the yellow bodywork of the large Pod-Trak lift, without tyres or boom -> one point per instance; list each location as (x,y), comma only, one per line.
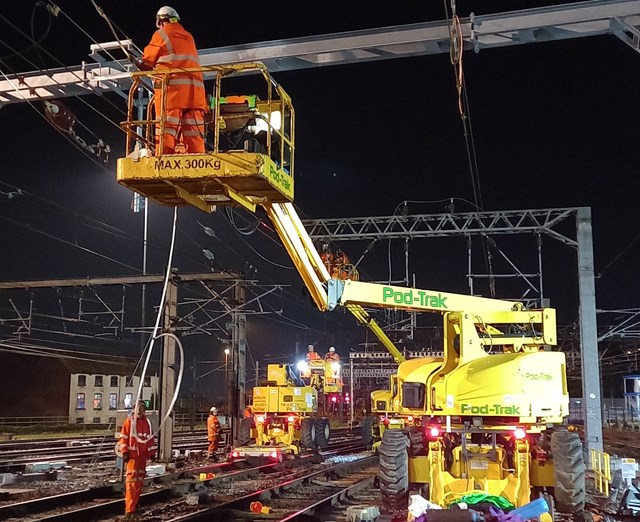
(497,374)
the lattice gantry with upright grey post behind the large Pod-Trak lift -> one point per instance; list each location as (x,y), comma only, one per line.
(546,221)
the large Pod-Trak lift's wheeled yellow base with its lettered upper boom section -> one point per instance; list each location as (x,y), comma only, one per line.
(478,418)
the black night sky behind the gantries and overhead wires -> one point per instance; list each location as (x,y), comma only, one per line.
(554,125)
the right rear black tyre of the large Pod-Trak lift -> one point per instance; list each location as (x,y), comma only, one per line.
(569,469)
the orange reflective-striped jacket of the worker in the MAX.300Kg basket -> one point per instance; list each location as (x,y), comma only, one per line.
(173,47)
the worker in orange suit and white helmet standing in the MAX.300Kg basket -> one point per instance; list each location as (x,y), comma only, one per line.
(173,47)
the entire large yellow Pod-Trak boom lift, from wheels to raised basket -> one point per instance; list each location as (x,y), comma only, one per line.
(479,418)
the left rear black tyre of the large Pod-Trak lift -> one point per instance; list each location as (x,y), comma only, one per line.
(394,470)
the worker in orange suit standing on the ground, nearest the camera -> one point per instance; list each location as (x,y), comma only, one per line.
(136,444)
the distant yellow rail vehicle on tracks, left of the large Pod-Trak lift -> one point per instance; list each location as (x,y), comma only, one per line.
(284,418)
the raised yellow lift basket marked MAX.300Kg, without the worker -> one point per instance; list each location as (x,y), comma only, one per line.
(249,143)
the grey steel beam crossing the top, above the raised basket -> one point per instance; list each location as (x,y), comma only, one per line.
(620,18)
